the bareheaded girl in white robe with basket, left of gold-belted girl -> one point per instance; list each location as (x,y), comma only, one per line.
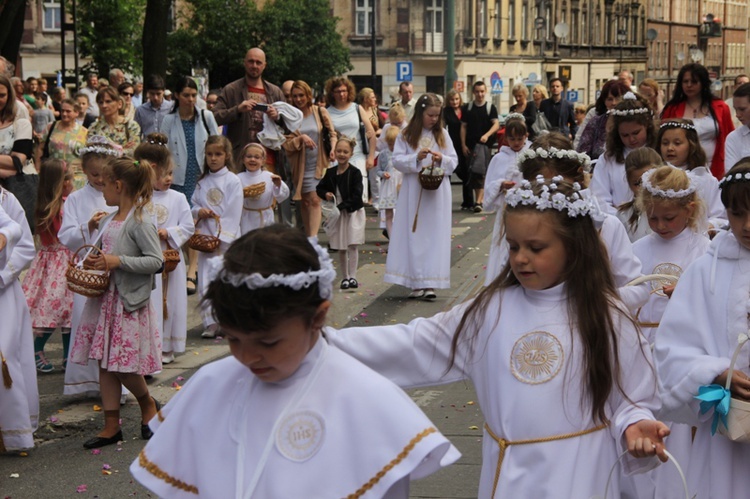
(217,199)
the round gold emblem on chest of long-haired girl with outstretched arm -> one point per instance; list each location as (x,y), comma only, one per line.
(536,358)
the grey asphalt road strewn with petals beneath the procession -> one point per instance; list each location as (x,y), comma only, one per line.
(59,467)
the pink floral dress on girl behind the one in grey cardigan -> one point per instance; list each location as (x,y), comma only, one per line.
(47,295)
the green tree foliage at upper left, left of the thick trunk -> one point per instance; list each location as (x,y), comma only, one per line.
(109,33)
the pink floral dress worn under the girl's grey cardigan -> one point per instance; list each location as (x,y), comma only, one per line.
(122,341)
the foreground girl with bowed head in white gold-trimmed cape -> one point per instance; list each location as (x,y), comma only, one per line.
(289,415)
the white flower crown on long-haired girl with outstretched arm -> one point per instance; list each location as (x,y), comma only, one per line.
(575,205)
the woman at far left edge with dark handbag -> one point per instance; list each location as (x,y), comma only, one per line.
(17,173)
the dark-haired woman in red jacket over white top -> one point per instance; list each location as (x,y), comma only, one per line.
(692,99)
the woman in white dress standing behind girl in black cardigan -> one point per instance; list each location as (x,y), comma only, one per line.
(350,120)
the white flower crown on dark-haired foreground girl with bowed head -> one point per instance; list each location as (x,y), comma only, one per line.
(324,276)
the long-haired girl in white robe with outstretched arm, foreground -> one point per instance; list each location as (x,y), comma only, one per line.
(553,427)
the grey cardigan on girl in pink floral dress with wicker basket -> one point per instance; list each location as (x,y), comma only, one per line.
(141,257)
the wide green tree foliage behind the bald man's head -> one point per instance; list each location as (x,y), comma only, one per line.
(298,36)
